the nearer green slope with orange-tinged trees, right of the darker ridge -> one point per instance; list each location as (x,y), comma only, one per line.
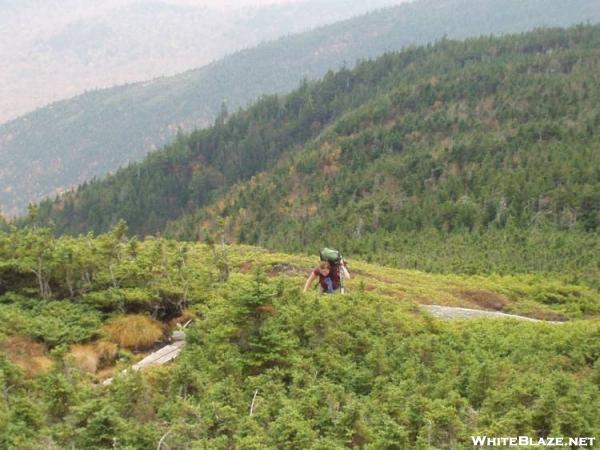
(493,150)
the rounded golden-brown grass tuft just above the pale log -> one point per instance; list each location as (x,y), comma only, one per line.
(134,331)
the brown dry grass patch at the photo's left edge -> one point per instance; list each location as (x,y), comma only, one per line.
(29,355)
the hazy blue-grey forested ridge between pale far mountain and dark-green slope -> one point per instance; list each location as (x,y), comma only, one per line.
(69,142)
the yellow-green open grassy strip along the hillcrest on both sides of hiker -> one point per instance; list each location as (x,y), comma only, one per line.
(532,295)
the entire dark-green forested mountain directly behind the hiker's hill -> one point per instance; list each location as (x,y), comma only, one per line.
(478,156)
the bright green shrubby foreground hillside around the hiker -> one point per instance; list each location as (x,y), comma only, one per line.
(266,367)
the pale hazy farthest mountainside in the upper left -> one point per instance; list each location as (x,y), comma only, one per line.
(51,50)
